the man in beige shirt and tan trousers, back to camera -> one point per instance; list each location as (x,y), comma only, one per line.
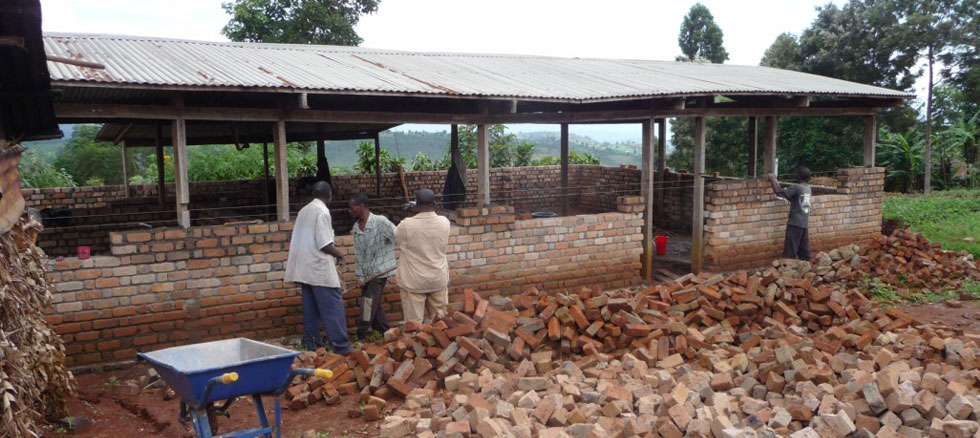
(423,271)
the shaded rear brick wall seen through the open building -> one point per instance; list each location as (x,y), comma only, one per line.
(97,211)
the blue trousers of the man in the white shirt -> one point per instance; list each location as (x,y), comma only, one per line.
(324,306)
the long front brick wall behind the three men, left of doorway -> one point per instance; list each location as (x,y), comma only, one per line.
(167,287)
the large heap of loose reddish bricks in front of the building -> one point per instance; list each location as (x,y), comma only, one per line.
(792,350)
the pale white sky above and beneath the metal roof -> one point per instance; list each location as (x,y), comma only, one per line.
(635,29)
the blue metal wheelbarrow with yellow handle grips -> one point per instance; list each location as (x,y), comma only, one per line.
(206,373)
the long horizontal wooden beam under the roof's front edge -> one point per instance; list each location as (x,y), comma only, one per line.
(80,112)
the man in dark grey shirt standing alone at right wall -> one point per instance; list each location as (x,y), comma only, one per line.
(797,244)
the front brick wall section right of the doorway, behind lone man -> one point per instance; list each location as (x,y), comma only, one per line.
(745,224)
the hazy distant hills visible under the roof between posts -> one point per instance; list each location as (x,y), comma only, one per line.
(435,144)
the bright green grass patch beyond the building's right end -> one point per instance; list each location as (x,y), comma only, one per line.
(945,217)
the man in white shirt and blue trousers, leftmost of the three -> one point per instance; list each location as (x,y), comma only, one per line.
(312,263)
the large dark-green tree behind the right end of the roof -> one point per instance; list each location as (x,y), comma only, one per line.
(861,41)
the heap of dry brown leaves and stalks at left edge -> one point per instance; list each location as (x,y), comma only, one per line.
(34,382)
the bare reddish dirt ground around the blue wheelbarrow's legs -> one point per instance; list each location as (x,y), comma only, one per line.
(116,415)
